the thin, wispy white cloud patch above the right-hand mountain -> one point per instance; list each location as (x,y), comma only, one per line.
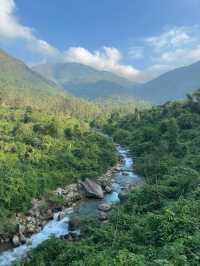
(174,48)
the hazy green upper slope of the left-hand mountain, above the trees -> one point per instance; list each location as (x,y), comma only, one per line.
(15,75)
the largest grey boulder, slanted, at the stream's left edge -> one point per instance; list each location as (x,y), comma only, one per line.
(92,189)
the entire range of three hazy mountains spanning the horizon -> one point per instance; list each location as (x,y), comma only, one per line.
(86,82)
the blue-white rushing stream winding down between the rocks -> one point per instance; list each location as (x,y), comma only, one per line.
(122,180)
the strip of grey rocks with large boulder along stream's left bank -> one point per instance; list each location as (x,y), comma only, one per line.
(59,202)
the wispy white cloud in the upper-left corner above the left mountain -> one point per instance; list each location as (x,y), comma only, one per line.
(12,29)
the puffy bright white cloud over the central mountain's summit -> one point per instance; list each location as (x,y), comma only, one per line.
(108,59)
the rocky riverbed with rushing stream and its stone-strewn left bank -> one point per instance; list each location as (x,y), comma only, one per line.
(83,200)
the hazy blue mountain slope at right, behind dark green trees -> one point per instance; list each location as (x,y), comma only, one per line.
(173,85)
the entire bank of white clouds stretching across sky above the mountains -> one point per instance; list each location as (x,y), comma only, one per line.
(172,48)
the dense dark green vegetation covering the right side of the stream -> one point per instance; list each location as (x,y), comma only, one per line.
(159,225)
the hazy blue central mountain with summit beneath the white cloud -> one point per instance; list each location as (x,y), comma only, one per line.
(84,81)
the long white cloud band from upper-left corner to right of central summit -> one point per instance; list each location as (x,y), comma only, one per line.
(108,58)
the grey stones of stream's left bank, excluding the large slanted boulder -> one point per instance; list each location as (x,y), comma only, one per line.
(42,211)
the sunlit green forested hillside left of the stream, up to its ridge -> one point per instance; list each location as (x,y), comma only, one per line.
(45,139)
